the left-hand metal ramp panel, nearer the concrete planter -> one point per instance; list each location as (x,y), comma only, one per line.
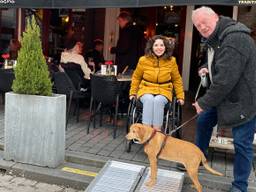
(117,177)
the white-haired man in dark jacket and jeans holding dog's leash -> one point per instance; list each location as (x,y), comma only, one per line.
(230,100)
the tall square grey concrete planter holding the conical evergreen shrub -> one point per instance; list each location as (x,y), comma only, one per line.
(35,129)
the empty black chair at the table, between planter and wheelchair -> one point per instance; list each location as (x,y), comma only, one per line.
(104,93)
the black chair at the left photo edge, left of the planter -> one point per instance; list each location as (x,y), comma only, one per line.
(6,79)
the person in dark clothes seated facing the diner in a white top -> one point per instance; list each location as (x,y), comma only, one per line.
(96,54)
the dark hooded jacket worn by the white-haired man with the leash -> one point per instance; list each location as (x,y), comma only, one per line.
(233,88)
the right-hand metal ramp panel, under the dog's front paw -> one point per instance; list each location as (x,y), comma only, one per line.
(170,181)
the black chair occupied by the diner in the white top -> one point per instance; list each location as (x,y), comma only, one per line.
(64,85)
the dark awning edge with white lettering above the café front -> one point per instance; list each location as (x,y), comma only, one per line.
(114,3)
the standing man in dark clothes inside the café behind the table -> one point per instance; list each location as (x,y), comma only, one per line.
(130,45)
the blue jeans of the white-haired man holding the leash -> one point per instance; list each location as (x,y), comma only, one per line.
(243,138)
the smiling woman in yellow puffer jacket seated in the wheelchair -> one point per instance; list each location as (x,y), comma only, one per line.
(154,78)
